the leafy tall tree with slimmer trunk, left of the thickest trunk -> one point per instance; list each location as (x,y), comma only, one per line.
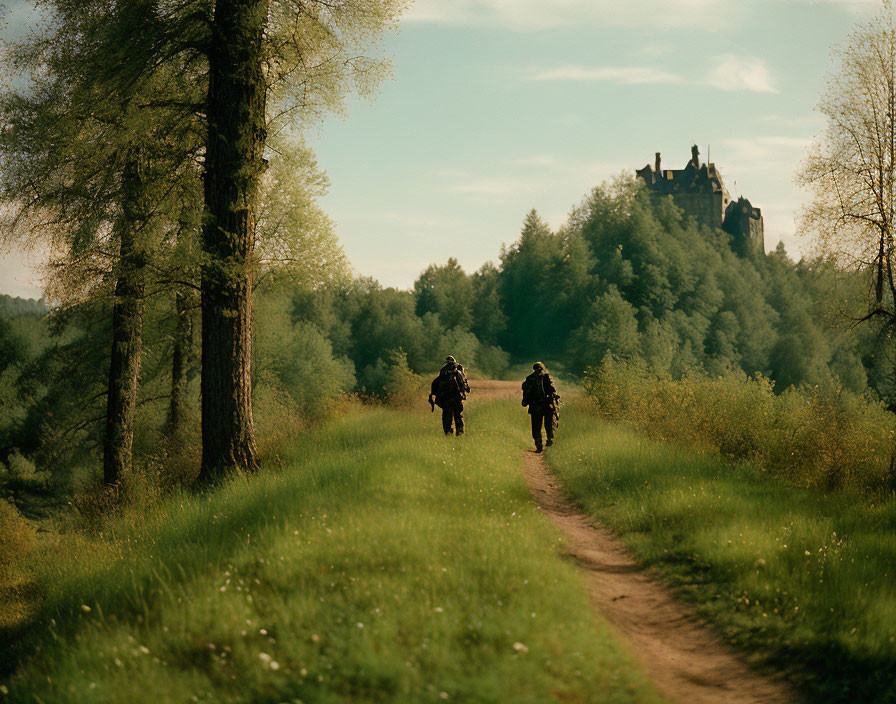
(98,138)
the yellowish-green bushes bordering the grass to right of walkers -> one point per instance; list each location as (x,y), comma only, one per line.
(821,436)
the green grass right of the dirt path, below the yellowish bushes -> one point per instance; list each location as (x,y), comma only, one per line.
(801,579)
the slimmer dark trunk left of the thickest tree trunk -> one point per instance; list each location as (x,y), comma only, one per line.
(127,335)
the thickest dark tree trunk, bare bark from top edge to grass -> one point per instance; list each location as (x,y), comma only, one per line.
(233,164)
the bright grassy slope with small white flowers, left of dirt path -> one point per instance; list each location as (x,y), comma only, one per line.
(383,562)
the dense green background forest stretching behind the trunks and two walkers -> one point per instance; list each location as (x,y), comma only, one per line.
(627,276)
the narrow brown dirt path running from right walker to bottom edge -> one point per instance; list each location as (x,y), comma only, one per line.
(687,660)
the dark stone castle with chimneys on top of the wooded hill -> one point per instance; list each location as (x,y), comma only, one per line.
(699,191)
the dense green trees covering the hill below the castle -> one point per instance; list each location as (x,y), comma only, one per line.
(629,274)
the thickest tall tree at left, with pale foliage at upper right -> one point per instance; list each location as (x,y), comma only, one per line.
(298,58)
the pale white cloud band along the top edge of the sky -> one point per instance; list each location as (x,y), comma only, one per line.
(529,15)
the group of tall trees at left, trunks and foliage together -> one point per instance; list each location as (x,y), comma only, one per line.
(153,149)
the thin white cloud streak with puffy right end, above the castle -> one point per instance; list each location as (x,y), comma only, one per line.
(729,72)
